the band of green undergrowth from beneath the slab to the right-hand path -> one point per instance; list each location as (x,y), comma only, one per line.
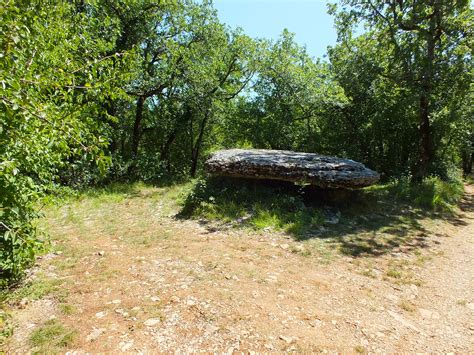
(297,210)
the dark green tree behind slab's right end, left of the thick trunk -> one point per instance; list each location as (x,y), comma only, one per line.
(376,126)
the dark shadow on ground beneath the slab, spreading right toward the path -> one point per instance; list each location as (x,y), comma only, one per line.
(371,221)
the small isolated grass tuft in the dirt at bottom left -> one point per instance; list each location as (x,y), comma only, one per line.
(52,337)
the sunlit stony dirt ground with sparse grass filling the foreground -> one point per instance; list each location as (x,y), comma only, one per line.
(125,274)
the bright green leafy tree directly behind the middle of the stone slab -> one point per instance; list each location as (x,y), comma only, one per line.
(291,101)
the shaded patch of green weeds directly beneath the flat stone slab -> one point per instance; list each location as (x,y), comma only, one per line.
(255,204)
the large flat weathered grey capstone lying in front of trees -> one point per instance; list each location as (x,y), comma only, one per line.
(314,169)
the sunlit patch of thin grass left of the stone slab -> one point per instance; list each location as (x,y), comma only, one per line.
(128,213)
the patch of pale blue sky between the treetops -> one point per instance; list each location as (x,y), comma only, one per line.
(308,19)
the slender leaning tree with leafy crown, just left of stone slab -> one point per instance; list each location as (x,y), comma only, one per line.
(221,70)
